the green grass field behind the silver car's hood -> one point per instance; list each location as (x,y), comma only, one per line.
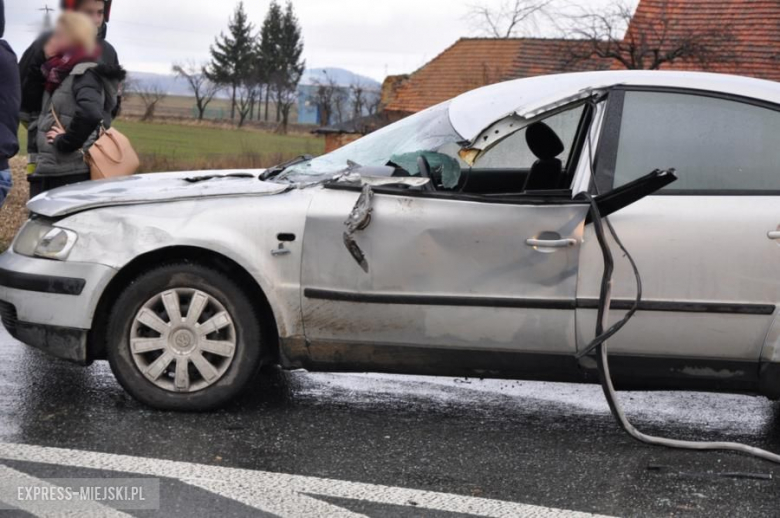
(172,147)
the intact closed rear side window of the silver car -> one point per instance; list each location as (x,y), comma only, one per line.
(714,144)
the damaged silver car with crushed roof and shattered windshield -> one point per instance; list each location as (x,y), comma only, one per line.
(455,242)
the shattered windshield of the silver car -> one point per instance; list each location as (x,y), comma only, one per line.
(399,144)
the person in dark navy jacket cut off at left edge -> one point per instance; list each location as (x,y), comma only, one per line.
(10,96)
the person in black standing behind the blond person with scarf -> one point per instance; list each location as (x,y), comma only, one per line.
(35,56)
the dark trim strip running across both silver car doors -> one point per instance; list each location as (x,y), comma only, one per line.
(504,302)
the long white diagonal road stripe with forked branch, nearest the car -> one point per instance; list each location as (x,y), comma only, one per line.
(278,493)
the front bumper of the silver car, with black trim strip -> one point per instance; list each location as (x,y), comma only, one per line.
(49,304)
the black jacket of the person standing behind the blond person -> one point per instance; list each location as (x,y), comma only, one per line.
(33,81)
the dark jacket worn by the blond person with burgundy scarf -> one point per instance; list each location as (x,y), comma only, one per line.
(94,104)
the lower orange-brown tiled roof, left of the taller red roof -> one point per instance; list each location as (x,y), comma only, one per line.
(474,62)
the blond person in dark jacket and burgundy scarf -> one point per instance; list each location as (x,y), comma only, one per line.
(79,97)
